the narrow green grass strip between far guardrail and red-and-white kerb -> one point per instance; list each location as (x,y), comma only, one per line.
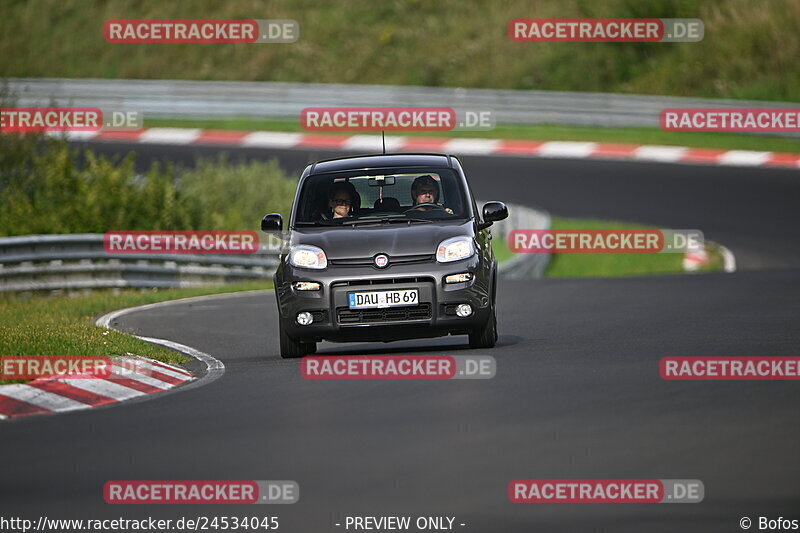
(543,132)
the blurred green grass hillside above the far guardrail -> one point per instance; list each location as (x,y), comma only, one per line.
(750,48)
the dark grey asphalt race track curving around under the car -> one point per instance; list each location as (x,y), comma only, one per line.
(577,392)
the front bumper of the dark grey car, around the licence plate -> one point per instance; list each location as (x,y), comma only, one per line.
(433,316)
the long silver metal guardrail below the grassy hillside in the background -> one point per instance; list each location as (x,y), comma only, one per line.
(222,99)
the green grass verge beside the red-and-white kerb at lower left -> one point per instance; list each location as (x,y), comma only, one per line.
(64,324)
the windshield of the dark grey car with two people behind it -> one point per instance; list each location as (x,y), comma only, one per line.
(381,196)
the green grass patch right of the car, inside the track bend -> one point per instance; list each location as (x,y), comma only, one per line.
(616,265)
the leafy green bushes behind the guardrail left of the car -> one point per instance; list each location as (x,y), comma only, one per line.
(47,187)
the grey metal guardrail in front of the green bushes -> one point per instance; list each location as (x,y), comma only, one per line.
(79,261)
